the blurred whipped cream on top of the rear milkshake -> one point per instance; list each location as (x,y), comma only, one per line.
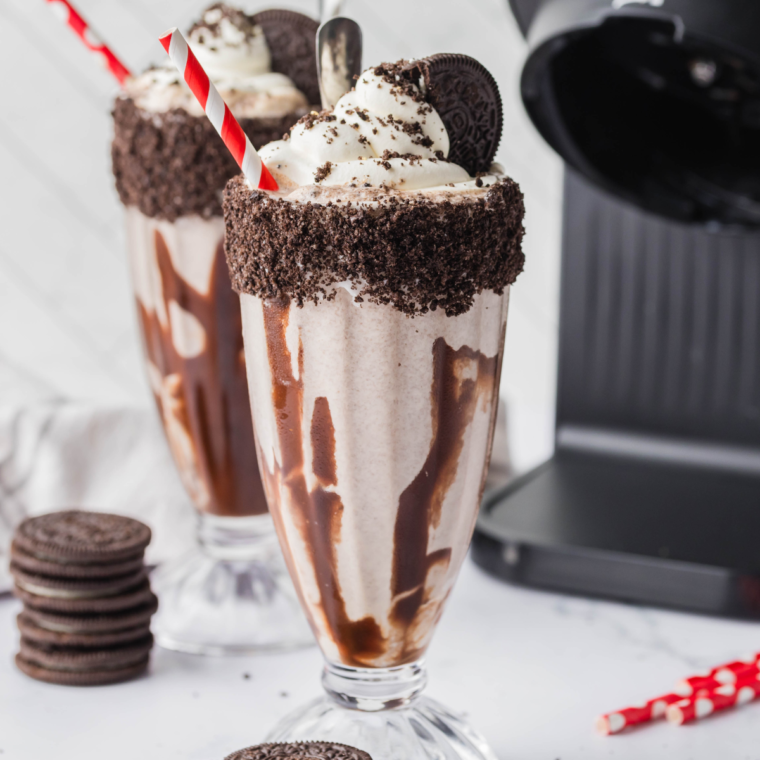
(234,53)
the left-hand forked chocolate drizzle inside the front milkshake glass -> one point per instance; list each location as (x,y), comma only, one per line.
(317,513)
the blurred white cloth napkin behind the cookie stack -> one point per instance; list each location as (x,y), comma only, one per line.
(76,455)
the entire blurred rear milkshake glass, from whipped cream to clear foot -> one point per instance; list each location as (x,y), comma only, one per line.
(232,593)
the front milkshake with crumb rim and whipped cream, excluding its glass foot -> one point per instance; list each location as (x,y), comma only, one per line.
(374,289)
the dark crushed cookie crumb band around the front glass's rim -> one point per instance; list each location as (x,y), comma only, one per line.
(413,253)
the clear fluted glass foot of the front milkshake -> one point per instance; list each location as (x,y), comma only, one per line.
(414,728)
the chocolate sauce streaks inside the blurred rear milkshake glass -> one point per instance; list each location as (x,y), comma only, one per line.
(208,393)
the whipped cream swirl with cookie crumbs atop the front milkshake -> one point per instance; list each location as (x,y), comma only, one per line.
(377,136)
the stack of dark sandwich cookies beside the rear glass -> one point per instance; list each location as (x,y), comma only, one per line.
(87,598)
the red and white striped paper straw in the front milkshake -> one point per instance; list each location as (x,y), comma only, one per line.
(217,111)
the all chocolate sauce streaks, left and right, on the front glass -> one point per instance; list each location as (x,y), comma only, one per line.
(455,393)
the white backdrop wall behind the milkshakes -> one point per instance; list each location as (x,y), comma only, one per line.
(67,328)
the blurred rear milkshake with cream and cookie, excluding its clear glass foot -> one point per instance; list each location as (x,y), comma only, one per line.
(170,170)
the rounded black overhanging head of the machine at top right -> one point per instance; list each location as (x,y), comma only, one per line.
(658,103)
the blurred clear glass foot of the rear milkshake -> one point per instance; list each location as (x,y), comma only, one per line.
(231,595)
